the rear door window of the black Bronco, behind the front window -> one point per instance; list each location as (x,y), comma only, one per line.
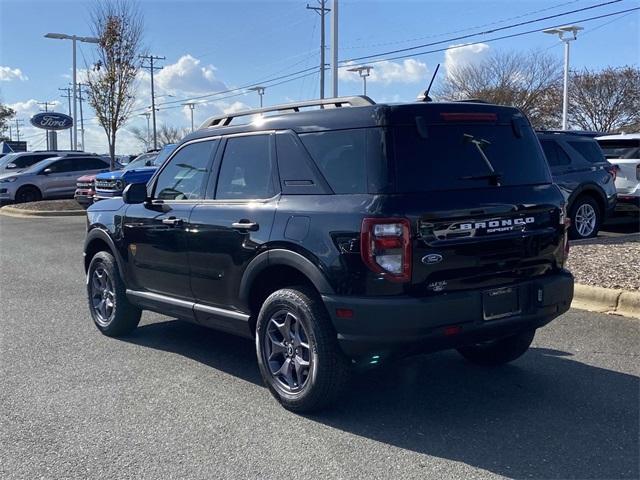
(247,168)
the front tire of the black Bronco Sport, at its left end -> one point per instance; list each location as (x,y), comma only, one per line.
(123,317)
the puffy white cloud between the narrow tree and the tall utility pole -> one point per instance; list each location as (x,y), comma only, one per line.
(187,76)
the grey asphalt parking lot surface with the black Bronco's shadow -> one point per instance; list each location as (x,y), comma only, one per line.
(177,401)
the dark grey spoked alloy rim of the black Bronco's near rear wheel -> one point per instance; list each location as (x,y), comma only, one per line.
(286,351)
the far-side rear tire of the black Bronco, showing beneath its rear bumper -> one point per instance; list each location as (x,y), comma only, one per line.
(498,352)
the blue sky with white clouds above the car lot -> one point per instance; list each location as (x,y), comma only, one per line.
(218,45)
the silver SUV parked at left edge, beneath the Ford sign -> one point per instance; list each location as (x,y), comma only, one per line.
(51,178)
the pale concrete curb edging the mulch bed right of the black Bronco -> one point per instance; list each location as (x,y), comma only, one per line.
(606,300)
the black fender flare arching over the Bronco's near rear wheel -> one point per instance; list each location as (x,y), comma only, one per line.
(287,258)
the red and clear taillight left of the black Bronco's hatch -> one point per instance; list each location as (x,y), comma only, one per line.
(385,246)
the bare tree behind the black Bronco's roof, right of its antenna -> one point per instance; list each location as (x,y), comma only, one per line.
(530,81)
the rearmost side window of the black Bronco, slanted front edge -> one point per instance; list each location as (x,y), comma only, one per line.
(341,156)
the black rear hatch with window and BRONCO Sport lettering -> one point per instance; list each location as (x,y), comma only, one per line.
(477,191)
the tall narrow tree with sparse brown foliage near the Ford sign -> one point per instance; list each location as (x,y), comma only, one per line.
(112,79)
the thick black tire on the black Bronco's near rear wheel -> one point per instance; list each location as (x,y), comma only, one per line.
(328,370)
